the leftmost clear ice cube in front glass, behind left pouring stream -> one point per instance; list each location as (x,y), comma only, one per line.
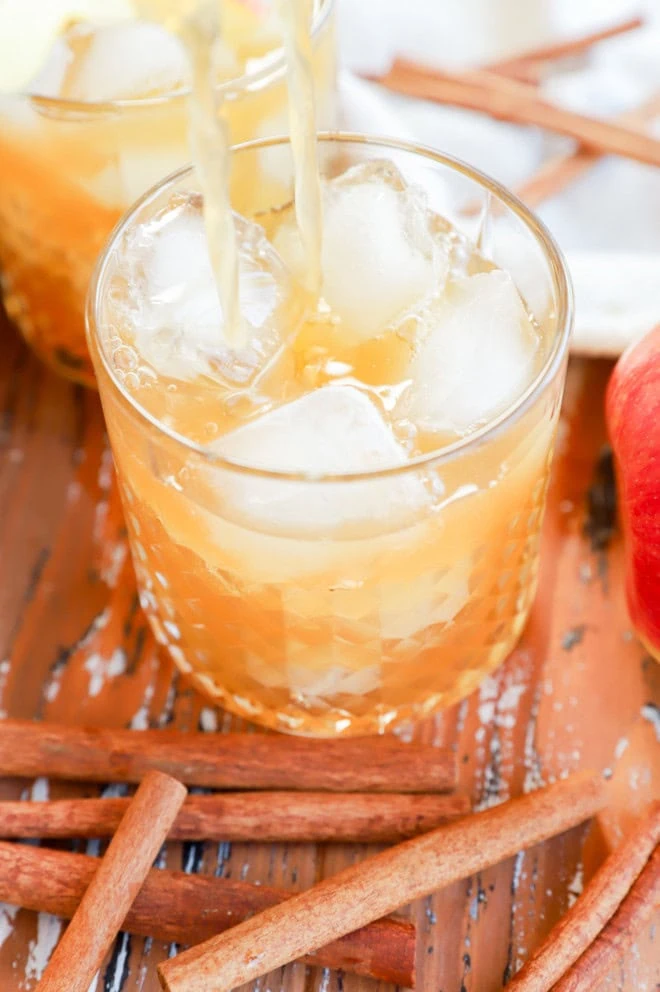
(176,317)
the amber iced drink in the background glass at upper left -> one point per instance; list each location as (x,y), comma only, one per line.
(85,141)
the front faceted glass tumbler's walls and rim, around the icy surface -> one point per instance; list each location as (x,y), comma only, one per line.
(351,605)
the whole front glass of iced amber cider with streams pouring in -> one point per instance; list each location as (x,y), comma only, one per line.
(335,523)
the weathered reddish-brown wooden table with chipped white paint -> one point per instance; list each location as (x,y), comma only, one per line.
(578,692)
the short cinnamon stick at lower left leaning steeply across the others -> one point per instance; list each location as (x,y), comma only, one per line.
(111,892)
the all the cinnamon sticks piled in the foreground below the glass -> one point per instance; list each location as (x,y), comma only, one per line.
(241,931)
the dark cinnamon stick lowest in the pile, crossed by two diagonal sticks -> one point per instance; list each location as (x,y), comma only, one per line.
(186,909)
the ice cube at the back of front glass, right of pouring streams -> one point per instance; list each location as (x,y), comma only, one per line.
(380,258)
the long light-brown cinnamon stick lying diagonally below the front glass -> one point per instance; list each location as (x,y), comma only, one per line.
(379,885)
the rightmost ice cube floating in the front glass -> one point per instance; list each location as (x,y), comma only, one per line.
(477,358)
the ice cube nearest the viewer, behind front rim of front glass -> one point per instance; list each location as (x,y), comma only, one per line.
(334,430)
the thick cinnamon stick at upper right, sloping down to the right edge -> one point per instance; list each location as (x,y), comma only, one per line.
(507,99)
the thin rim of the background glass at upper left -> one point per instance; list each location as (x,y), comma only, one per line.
(264,76)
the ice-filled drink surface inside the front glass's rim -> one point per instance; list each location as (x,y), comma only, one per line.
(413,324)
